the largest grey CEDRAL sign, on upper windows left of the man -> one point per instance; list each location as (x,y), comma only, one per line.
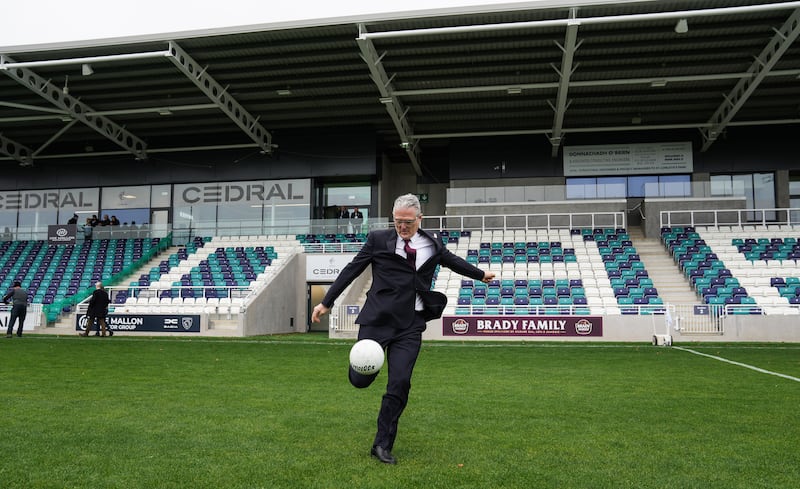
(263,192)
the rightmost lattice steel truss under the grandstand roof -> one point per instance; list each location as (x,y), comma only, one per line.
(759,69)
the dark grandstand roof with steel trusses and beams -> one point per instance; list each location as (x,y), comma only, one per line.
(549,69)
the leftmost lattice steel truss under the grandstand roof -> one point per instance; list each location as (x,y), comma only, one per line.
(74,108)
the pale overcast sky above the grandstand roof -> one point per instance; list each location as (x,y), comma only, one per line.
(30,22)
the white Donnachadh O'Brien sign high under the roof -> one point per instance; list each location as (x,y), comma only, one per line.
(628,159)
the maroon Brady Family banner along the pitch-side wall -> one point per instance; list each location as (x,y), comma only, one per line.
(488,326)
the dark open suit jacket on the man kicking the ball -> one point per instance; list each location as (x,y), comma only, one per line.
(391,298)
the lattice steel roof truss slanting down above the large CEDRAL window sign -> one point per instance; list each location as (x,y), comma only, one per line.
(218,94)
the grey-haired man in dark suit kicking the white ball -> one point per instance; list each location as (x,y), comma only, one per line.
(399,303)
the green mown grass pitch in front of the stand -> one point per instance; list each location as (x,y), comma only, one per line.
(270,412)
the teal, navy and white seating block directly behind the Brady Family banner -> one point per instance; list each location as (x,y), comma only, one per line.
(578,271)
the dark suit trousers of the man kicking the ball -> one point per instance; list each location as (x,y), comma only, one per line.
(402,348)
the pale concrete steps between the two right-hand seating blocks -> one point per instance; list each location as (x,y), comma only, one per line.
(672,287)
